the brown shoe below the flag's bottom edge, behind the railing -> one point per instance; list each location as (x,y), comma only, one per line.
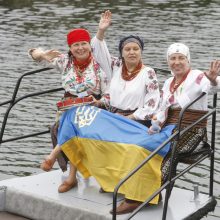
(126,206)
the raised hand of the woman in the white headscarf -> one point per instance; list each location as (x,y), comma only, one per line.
(213,72)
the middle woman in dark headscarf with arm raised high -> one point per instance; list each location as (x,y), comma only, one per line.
(134,89)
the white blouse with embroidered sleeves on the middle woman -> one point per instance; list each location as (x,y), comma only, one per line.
(141,93)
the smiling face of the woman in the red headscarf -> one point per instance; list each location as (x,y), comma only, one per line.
(80,50)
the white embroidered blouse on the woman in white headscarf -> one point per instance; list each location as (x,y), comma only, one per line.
(193,86)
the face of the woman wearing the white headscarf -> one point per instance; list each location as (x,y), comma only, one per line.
(178,64)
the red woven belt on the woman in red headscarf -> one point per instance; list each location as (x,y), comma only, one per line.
(68,102)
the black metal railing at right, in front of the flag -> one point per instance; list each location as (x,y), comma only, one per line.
(175,138)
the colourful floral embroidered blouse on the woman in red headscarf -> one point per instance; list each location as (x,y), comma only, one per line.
(92,81)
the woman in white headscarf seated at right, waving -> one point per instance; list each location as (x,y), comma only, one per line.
(184,86)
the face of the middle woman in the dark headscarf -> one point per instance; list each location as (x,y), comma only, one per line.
(131,53)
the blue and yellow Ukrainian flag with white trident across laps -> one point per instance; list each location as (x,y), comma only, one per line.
(108,146)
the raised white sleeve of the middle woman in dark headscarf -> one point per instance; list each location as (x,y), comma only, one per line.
(102,56)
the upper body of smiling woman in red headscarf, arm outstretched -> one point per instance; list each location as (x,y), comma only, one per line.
(81,75)
